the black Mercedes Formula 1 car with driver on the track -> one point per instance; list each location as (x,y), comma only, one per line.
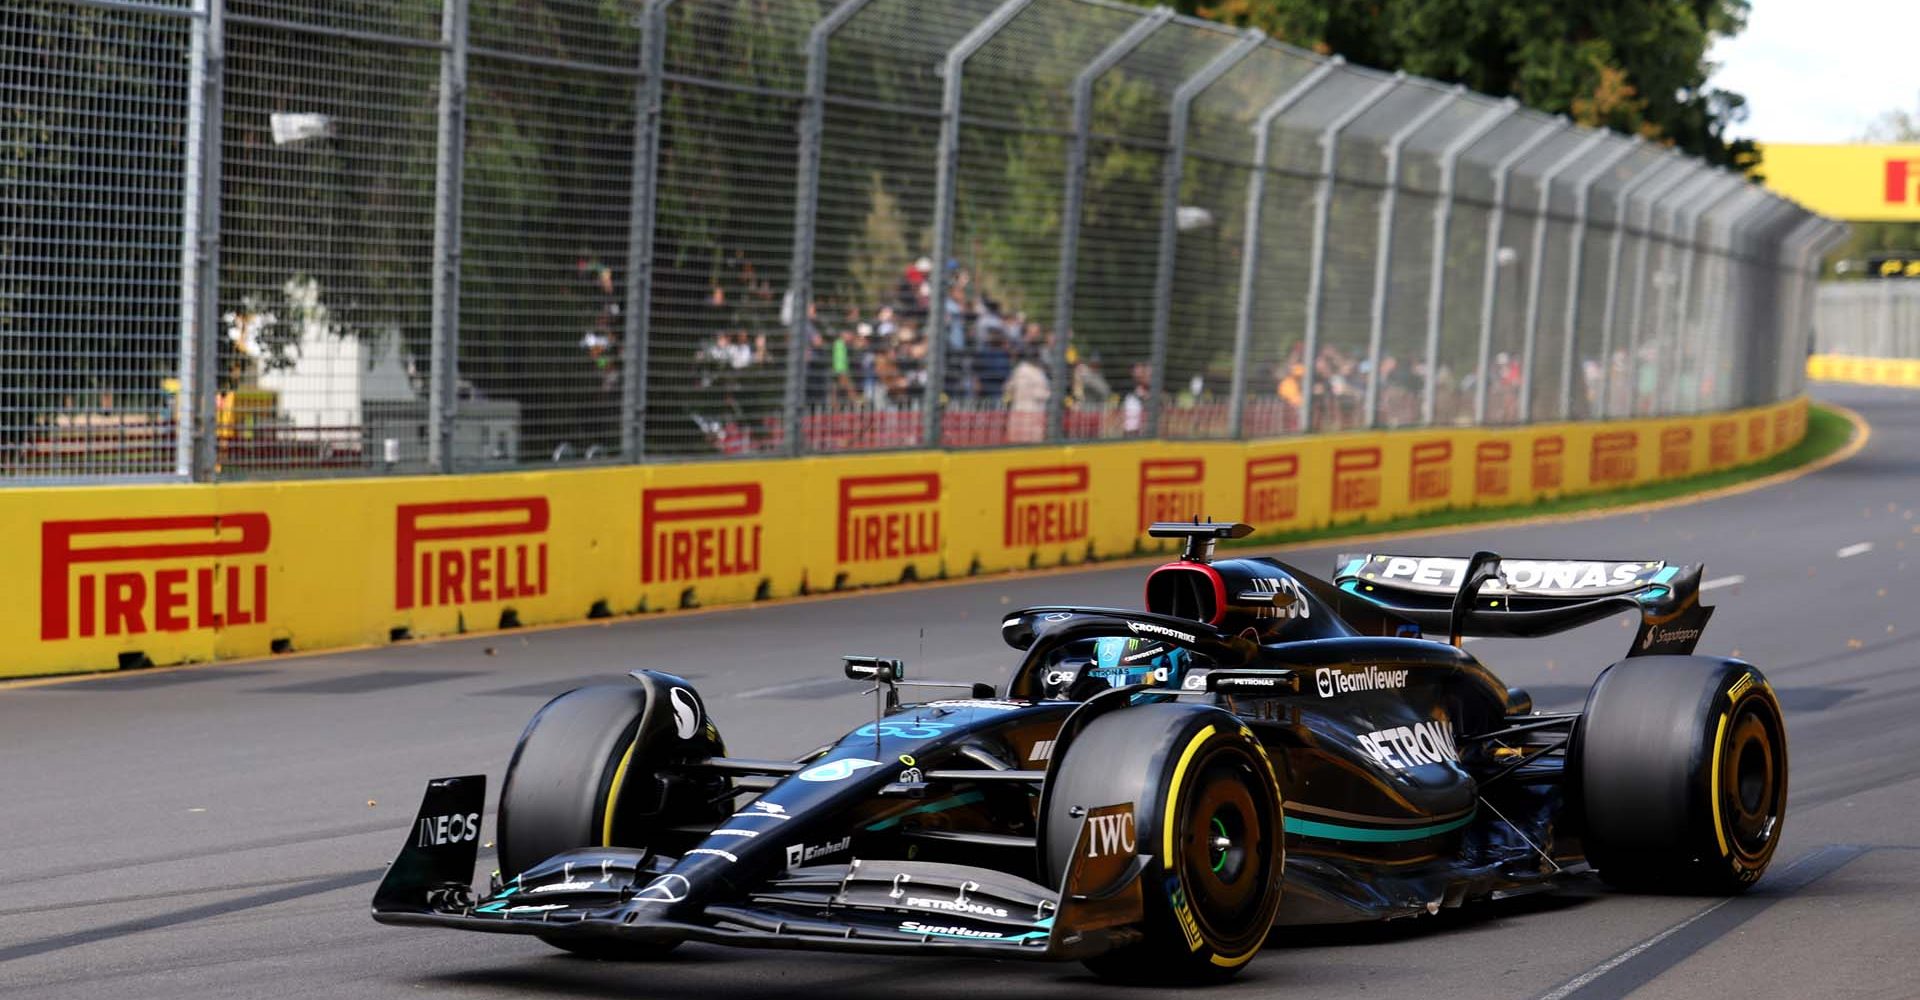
(1153,792)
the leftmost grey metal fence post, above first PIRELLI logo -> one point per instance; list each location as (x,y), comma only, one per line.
(195,408)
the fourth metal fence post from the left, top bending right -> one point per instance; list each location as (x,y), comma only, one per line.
(805,218)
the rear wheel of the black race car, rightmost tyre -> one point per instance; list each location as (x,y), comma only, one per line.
(1683,771)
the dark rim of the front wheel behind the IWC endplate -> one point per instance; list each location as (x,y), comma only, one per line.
(1226,853)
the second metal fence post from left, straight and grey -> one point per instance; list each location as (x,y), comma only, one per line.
(450,168)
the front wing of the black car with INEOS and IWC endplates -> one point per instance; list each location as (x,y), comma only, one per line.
(873,907)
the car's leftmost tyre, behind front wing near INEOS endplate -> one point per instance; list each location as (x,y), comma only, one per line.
(585,776)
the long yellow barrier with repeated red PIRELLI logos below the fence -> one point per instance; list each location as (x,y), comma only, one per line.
(132,575)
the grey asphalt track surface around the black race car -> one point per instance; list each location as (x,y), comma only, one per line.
(218,832)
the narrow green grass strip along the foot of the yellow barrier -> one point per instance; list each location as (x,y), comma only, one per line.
(1827,433)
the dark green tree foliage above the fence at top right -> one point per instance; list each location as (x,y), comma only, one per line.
(1635,66)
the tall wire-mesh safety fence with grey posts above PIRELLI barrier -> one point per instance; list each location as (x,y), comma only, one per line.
(366,237)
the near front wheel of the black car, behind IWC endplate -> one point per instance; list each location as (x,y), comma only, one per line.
(1207,809)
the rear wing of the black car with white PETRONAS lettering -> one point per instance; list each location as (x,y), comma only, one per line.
(1525,598)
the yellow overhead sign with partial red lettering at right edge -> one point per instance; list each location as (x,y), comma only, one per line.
(1858,183)
